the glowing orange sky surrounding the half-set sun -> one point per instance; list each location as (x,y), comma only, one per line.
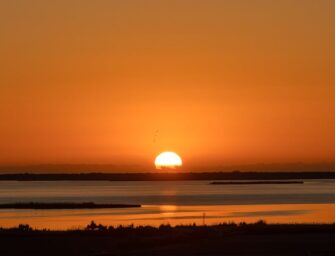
(223,82)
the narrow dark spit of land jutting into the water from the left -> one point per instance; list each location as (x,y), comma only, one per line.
(51,206)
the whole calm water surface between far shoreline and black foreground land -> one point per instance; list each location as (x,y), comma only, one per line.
(173,202)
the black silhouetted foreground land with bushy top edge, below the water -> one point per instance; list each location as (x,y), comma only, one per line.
(226,239)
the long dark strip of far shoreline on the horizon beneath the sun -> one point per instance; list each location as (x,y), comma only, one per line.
(154,176)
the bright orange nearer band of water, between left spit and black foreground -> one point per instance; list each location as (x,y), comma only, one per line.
(156,215)
